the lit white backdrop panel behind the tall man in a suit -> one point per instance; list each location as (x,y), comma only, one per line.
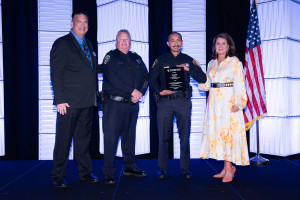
(54,21)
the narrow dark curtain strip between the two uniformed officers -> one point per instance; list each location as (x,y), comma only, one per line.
(160,25)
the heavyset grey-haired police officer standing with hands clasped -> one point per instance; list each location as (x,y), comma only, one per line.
(125,81)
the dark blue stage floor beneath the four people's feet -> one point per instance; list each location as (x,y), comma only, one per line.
(31,180)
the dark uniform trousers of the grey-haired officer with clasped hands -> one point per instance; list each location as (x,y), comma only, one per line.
(119,120)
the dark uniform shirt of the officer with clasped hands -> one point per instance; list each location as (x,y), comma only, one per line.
(122,73)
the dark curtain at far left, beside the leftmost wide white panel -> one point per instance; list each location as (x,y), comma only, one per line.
(20,63)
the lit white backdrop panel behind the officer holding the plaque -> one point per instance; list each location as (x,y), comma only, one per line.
(189,19)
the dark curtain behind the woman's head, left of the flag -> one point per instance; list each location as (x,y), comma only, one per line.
(232,17)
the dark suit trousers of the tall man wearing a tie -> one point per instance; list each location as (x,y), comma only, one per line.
(76,125)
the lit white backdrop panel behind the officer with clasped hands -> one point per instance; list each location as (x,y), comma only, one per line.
(132,15)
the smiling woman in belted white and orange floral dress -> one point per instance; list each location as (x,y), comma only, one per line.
(224,136)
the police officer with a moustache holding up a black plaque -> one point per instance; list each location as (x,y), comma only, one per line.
(171,103)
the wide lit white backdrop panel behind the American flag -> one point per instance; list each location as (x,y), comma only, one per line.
(280,32)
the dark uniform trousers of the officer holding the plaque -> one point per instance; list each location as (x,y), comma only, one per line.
(167,109)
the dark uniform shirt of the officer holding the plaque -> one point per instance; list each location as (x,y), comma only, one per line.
(157,78)
